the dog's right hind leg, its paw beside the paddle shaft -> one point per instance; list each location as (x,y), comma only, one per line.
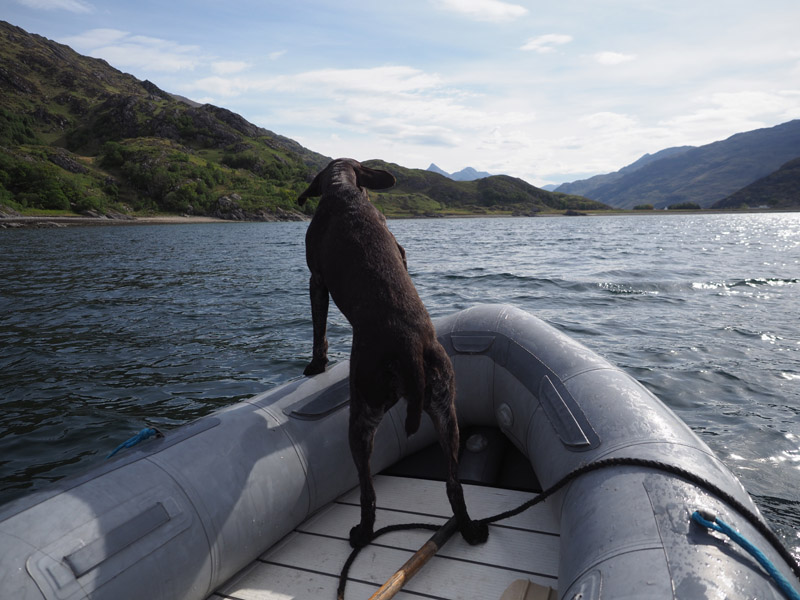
(440,407)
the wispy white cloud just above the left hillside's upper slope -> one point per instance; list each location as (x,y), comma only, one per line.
(124,50)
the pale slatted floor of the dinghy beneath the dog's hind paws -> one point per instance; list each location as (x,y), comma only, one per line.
(306,563)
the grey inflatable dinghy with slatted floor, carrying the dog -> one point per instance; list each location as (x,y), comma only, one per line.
(255,500)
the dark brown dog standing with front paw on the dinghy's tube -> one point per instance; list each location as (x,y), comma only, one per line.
(354,257)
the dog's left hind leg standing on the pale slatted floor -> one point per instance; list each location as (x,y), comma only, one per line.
(363,424)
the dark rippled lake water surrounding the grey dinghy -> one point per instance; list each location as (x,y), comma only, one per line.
(104,330)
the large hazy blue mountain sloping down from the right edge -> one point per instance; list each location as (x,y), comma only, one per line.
(704,175)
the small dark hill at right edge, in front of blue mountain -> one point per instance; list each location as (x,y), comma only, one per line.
(780,189)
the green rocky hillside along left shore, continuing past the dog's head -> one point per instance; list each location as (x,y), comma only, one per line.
(78,135)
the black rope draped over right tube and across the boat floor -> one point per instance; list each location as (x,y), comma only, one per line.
(704,484)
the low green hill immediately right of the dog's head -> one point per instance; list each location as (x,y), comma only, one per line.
(424,193)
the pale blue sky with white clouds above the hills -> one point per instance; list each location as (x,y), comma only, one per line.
(545,91)
